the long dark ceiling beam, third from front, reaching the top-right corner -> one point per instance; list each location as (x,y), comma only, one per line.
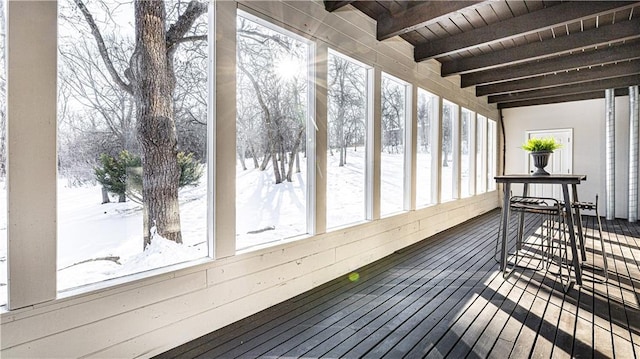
(547,18)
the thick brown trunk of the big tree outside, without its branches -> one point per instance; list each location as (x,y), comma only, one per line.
(153,88)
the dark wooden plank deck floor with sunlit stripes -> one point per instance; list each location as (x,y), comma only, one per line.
(444,297)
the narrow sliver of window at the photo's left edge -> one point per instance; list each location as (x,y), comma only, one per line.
(3,156)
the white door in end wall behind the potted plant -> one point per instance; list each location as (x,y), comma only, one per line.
(560,162)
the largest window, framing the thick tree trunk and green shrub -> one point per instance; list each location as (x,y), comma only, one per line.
(132,141)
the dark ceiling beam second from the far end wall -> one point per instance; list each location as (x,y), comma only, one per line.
(597,85)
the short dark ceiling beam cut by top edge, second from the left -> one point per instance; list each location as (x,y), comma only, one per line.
(420,15)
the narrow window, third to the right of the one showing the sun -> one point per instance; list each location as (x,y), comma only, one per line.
(426,168)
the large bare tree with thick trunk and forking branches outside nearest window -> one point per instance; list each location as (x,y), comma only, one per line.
(150,79)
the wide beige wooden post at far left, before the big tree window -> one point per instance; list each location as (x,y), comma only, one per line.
(31,151)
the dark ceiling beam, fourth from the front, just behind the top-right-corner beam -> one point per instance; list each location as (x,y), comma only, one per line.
(624,30)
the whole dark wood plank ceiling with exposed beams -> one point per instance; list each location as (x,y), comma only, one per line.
(519,53)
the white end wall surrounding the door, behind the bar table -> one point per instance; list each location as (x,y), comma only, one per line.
(587,119)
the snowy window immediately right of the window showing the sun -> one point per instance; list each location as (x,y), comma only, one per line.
(348,120)
